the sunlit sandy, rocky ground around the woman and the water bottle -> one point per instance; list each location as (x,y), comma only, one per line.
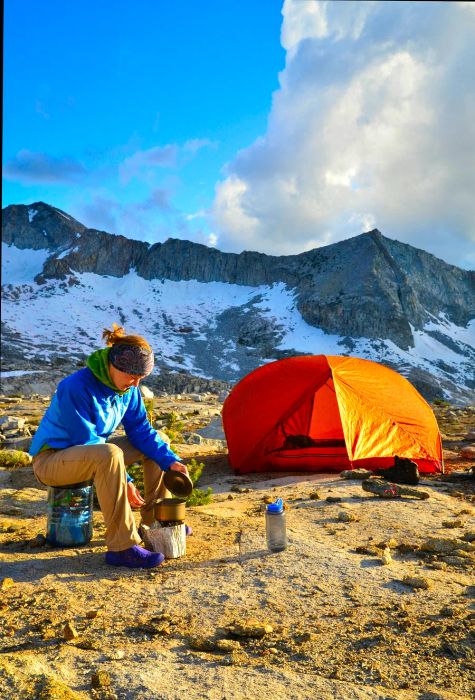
(327,618)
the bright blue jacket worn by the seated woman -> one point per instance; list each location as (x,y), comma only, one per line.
(84,411)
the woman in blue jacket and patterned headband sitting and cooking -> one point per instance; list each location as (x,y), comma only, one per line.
(71,444)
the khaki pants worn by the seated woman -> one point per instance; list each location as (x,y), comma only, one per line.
(106,464)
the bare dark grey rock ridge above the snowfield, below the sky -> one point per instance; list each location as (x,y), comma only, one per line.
(366,286)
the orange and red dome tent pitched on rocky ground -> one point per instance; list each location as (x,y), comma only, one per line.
(353,412)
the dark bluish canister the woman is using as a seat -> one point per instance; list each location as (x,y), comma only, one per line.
(70,514)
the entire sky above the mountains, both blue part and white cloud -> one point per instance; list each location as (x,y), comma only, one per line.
(271,126)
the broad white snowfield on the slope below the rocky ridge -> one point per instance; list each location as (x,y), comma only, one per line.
(175,316)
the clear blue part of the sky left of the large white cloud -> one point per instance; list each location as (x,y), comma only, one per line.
(90,85)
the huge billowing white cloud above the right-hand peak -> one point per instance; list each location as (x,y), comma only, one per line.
(373,126)
